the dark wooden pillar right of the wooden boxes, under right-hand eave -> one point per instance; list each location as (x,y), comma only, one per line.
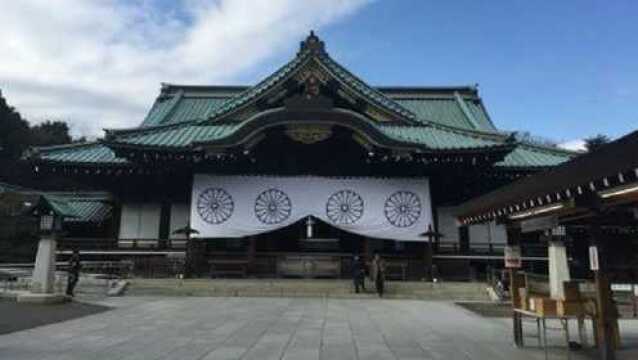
(607,336)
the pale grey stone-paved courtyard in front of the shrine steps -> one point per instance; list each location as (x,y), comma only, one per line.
(271,328)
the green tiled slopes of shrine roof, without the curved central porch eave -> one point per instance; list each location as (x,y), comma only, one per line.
(440,117)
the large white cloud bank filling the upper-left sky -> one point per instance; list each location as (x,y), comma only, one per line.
(99,64)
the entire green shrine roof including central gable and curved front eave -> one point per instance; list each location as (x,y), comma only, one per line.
(427,119)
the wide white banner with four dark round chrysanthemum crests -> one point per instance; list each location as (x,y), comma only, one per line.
(238,206)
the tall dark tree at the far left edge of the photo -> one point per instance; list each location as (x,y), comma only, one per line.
(14,132)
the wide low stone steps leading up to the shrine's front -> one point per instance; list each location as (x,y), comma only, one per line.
(444,291)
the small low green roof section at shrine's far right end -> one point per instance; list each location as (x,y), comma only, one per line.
(526,156)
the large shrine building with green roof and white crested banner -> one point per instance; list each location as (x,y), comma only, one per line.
(296,174)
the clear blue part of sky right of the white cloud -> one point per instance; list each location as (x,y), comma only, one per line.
(559,69)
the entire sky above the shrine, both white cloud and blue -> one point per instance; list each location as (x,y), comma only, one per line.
(562,70)
